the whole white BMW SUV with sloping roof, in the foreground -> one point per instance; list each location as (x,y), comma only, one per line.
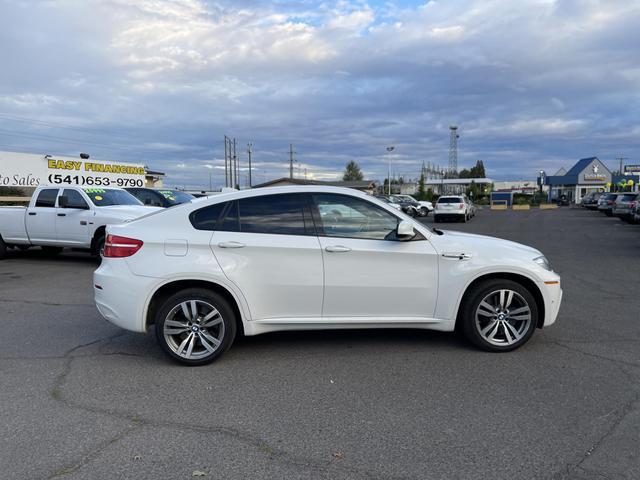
(302,258)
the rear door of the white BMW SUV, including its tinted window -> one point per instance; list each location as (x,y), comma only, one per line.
(267,246)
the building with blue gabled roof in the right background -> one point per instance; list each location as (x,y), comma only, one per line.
(587,175)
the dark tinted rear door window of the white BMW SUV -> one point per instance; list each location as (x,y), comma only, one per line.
(273,214)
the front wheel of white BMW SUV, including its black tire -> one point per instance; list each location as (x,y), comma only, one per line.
(498,329)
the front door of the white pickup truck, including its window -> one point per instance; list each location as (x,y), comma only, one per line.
(72,222)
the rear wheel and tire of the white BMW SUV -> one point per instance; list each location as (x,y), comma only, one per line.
(195,343)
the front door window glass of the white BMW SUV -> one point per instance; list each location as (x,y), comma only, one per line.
(350,217)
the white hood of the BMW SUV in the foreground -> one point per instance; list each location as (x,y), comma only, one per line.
(453,241)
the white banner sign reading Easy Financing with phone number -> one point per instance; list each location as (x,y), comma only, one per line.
(31,170)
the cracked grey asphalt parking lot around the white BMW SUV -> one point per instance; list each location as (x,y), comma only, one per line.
(83,399)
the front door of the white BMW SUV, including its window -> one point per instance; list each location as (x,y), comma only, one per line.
(368,271)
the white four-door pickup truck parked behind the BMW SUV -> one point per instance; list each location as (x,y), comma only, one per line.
(59,217)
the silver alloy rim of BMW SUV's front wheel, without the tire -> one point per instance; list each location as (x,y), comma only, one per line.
(503,317)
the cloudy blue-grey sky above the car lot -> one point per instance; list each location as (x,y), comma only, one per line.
(531,85)
